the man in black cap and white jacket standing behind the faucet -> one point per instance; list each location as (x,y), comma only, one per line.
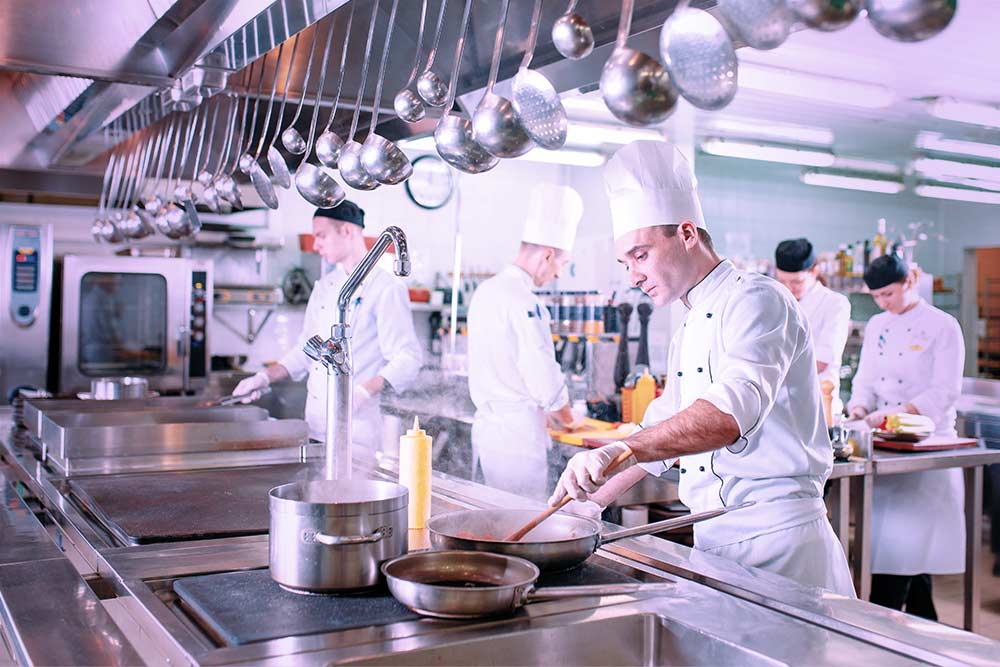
(384,345)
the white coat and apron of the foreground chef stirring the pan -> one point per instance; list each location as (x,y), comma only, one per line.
(745,347)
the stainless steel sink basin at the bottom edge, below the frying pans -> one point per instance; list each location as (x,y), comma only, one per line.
(637,639)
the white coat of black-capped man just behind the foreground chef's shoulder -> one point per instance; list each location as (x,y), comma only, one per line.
(829,316)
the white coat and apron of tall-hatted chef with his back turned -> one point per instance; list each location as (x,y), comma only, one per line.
(514,381)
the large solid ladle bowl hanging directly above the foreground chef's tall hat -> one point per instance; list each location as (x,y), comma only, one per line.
(636,88)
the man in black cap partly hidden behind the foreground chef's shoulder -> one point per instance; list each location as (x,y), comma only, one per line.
(828,312)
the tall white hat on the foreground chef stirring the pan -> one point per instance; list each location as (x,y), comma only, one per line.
(651,183)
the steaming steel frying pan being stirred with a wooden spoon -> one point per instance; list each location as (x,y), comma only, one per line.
(560,542)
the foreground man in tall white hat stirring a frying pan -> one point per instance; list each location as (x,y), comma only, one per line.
(741,408)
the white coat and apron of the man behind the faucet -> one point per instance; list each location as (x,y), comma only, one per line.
(383,342)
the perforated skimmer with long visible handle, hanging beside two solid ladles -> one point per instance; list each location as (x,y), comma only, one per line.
(535,100)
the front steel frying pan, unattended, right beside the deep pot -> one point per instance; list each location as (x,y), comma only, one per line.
(476,584)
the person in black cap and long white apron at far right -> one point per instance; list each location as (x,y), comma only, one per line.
(911,361)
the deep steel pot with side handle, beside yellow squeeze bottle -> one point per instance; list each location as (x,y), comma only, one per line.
(332,536)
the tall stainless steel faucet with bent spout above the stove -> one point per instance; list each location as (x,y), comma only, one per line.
(335,354)
